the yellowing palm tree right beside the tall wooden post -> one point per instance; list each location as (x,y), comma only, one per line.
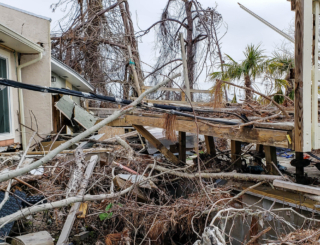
(279,67)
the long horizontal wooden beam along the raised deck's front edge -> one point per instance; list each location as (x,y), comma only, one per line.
(250,135)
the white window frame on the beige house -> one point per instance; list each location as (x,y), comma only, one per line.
(11,135)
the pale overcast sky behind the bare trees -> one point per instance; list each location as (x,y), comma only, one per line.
(243,29)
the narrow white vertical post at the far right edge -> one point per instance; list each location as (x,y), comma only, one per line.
(315,127)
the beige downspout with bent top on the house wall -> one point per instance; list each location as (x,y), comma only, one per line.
(21,104)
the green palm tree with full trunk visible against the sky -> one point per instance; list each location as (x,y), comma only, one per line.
(251,67)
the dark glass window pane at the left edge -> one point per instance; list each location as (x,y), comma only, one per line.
(4,100)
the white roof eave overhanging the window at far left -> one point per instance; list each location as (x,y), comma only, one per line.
(13,40)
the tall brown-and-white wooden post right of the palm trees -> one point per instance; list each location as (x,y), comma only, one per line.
(303,45)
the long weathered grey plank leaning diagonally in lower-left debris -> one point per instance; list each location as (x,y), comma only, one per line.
(63,238)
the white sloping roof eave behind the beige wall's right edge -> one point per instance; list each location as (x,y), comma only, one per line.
(70,75)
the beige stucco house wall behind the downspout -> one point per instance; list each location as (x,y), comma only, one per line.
(37,30)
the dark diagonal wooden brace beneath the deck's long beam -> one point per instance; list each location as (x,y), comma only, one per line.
(157,144)
